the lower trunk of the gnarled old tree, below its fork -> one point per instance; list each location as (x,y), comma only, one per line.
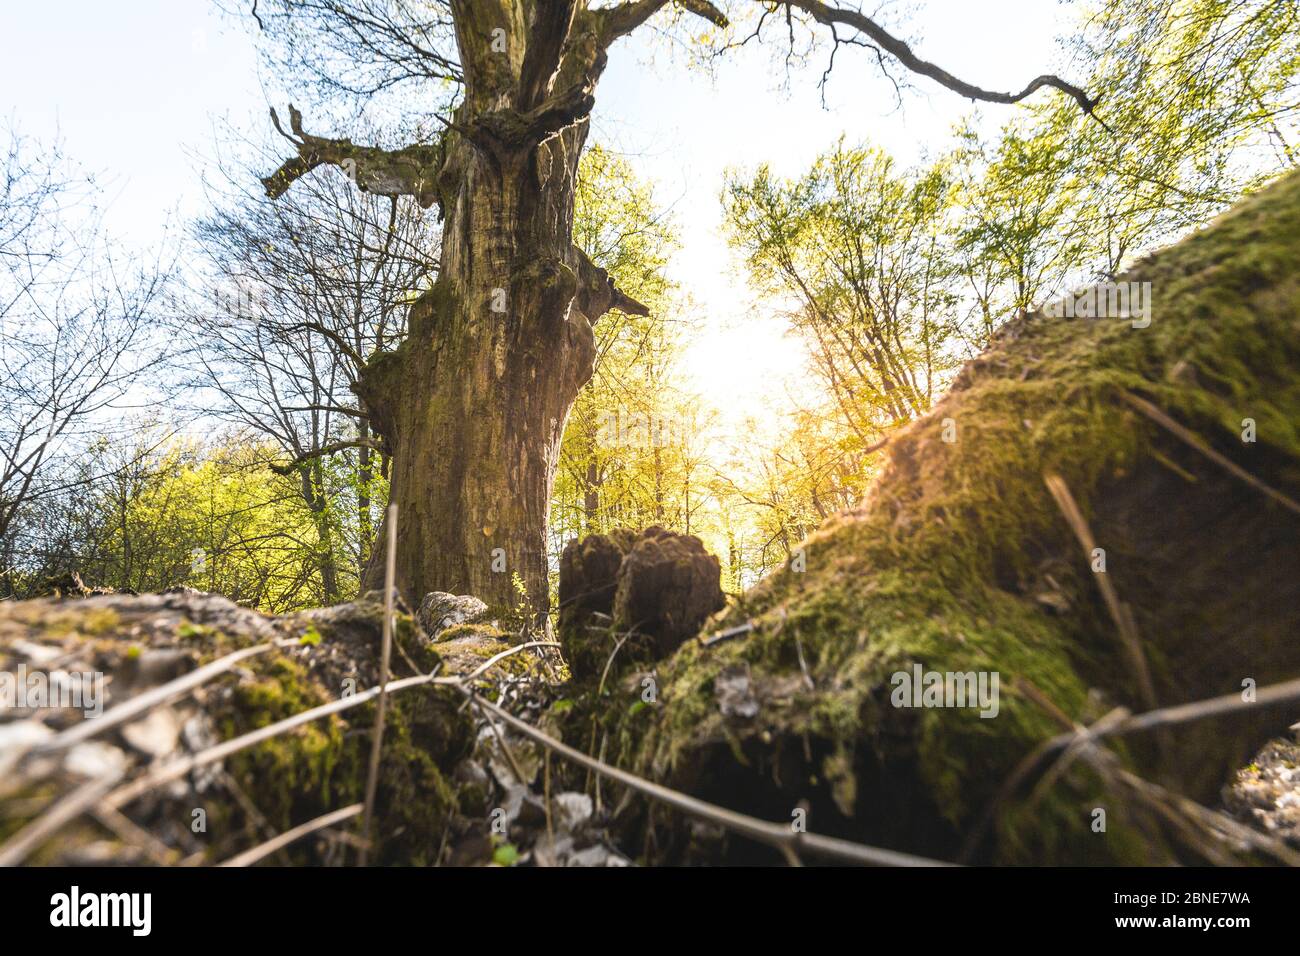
(474,405)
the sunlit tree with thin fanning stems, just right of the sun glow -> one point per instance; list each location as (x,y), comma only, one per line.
(857,246)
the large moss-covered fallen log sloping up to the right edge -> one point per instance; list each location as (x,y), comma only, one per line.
(964,563)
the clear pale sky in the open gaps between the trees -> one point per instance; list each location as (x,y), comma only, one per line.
(136,89)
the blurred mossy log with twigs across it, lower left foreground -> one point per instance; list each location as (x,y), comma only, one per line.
(218,811)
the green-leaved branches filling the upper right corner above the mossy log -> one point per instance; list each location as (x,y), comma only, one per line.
(1201,105)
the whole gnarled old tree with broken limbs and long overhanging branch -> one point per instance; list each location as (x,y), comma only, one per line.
(473,405)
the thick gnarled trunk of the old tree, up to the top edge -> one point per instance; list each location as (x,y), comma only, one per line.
(474,404)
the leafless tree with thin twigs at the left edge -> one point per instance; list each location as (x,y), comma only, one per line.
(76,330)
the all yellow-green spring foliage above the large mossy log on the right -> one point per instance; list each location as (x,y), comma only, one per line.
(895,276)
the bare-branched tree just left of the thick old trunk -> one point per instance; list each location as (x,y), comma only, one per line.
(301,295)
